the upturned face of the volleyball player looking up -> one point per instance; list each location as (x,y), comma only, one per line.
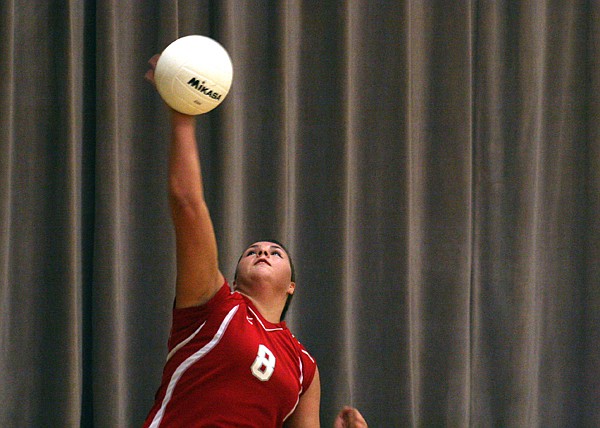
(265,263)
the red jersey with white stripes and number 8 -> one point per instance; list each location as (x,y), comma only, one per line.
(229,367)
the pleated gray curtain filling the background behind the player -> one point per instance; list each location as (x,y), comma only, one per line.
(433,166)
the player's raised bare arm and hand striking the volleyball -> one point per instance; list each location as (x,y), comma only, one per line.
(198,275)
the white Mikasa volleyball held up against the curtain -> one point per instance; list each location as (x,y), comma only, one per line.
(193,74)
